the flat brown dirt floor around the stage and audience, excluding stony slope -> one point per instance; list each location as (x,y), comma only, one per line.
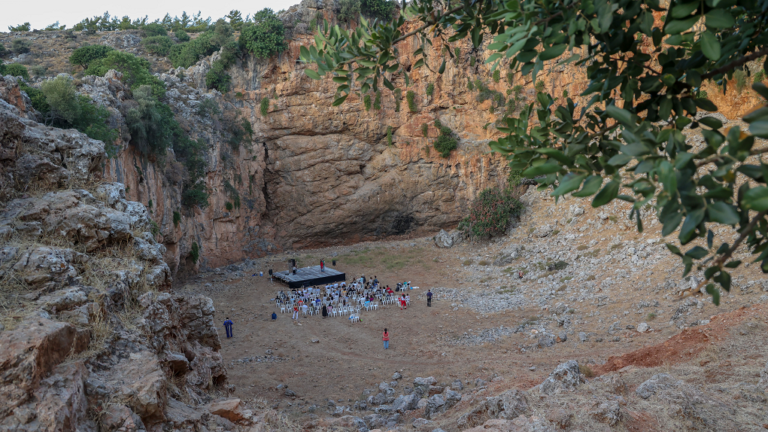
(349,357)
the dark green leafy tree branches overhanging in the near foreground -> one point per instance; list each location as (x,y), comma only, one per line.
(645,88)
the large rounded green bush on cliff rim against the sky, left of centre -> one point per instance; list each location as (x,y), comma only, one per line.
(265,37)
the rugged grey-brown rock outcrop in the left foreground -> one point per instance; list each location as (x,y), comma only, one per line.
(89,338)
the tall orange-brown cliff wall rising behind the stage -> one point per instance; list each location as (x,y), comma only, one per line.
(318,175)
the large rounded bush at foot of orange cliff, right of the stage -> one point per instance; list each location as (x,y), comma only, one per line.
(490,213)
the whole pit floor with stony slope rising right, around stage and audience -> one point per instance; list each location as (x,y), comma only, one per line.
(614,275)
